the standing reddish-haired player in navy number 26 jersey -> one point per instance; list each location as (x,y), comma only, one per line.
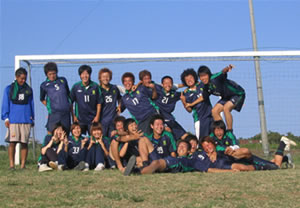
(111,101)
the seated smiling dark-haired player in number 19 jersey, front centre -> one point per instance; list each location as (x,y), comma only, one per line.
(159,144)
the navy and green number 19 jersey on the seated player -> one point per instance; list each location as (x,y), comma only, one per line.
(165,145)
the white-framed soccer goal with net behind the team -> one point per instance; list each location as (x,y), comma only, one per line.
(279,77)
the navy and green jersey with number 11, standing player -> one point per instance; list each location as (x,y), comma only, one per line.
(86,99)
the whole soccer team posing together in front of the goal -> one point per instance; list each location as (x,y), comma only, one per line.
(148,142)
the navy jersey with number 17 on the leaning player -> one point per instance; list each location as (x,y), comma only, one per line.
(138,103)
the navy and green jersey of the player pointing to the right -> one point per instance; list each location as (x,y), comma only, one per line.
(219,85)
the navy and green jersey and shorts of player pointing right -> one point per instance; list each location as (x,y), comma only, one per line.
(219,85)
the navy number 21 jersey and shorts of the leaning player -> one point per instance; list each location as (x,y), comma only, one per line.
(166,104)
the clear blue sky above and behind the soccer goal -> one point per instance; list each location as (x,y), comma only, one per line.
(36,27)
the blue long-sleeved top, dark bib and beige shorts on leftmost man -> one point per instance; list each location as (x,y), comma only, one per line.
(18,108)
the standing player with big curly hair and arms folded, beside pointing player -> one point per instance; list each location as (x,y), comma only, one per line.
(194,100)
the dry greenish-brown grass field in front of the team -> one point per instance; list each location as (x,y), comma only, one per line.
(109,188)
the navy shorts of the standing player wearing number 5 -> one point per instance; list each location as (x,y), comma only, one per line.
(62,117)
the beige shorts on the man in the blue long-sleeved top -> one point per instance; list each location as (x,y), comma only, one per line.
(19,133)
